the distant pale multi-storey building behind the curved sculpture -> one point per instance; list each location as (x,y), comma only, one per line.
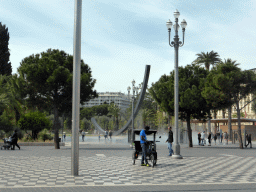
(120,99)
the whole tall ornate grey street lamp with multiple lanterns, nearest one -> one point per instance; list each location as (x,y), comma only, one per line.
(176,44)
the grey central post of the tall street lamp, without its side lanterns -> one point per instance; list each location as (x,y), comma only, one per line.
(176,146)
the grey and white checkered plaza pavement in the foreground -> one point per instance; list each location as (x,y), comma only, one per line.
(107,164)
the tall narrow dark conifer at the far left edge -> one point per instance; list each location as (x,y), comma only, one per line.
(5,64)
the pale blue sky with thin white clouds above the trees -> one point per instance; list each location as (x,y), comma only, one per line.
(120,37)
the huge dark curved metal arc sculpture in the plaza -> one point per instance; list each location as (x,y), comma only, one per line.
(137,107)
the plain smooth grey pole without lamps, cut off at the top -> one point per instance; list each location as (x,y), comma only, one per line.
(76,89)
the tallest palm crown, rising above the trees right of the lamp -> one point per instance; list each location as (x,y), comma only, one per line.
(207,59)
